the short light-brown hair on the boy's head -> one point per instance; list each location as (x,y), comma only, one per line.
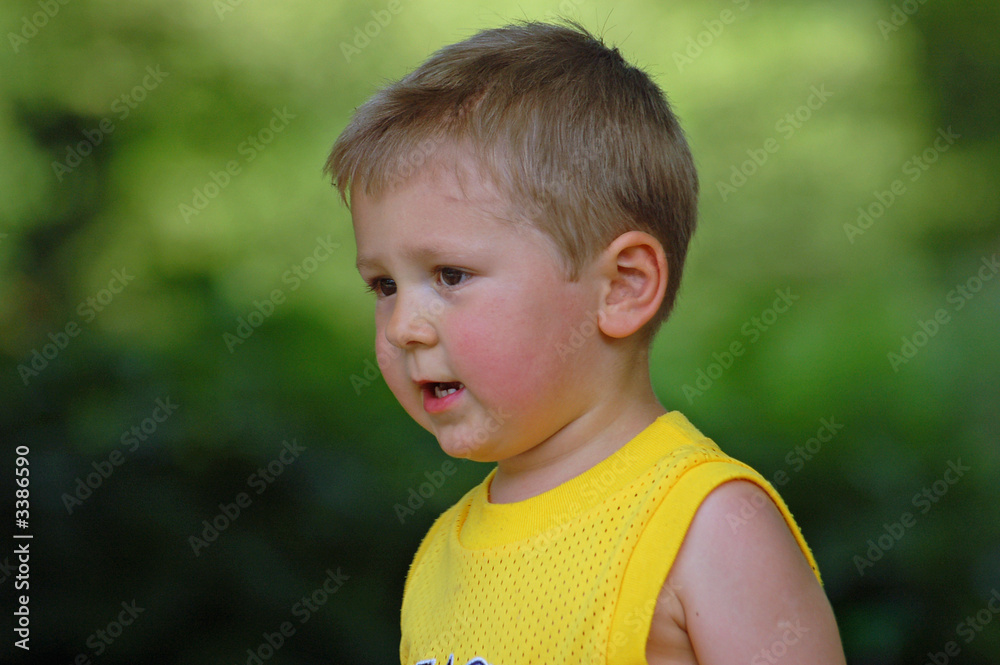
(581,143)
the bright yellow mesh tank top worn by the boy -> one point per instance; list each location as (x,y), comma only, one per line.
(571,575)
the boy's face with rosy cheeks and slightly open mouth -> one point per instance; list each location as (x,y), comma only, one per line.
(477,306)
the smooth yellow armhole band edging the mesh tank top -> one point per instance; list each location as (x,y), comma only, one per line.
(650,563)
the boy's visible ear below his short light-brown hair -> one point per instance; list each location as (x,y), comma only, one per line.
(633,269)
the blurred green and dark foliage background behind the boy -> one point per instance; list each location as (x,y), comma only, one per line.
(181,145)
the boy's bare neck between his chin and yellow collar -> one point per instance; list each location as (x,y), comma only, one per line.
(577,447)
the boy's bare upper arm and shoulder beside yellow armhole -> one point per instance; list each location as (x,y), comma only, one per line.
(747,593)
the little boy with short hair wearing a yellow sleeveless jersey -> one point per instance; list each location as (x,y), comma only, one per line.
(522,204)
